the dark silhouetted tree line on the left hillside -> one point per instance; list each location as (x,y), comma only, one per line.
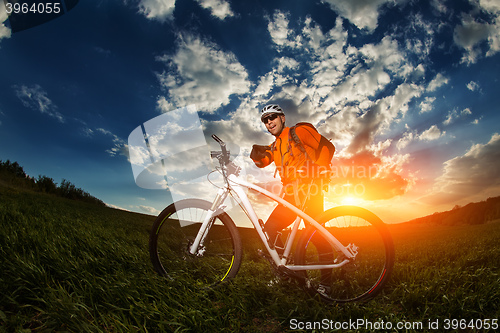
(13,174)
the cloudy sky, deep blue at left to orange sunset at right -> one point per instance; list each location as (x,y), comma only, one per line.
(406,90)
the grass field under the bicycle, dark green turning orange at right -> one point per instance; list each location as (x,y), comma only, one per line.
(69,266)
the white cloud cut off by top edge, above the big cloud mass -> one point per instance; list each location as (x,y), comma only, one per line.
(362,13)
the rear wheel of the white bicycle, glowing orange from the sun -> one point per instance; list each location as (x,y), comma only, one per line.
(366,275)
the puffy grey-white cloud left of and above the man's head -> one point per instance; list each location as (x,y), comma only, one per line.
(202,74)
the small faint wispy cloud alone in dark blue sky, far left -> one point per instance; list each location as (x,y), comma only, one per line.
(34,97)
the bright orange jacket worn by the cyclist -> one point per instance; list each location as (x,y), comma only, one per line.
(289,158)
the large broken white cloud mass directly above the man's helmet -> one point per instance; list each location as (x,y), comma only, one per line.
(341,75)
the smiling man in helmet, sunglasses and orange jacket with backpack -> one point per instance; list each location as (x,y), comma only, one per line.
(296,165)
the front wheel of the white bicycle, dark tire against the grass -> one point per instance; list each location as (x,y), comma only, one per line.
(174,230)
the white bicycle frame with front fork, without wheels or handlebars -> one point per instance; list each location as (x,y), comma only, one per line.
(237,185)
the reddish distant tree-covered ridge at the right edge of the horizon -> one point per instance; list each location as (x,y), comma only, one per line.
(472,213)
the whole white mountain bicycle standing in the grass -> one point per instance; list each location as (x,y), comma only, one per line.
(344,254)
